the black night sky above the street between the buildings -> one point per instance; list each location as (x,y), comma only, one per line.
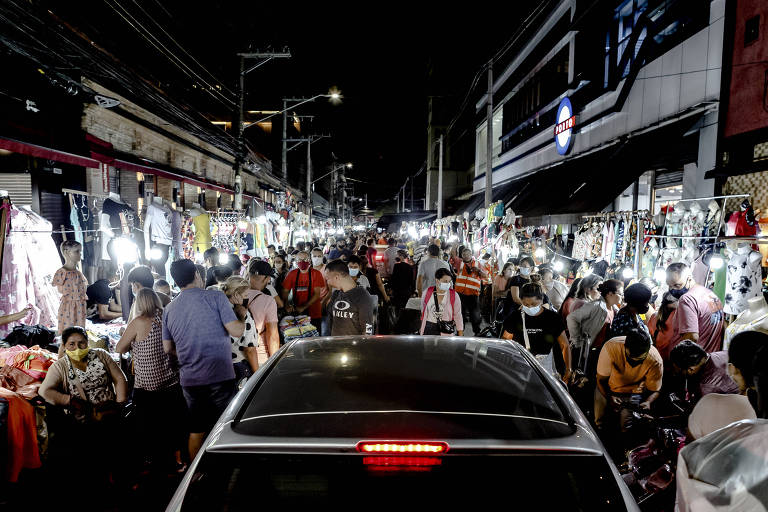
(386,59)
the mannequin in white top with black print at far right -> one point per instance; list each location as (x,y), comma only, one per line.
(743,278)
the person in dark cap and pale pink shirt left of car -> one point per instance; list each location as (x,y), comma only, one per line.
(263,309)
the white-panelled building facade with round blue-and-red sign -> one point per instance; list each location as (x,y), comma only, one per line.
(632,89)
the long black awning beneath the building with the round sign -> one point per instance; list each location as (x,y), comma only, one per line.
(589,183)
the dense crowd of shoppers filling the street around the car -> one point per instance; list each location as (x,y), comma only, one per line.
(619,345)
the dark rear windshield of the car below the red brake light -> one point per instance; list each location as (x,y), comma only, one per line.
(239,482)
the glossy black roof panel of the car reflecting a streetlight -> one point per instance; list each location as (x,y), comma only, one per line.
(449,377)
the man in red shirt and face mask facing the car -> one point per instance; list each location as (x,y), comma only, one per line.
(304,286)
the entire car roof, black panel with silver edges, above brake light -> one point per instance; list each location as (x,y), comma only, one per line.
(334,392)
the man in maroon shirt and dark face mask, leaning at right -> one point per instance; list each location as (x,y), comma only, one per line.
(699,315)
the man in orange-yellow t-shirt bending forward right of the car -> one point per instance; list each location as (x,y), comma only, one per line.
(629,373)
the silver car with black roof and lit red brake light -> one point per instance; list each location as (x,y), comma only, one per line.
(402,423)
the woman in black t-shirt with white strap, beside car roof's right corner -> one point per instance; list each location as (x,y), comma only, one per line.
(540,330)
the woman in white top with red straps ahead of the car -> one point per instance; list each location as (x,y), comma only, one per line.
(441,309)
